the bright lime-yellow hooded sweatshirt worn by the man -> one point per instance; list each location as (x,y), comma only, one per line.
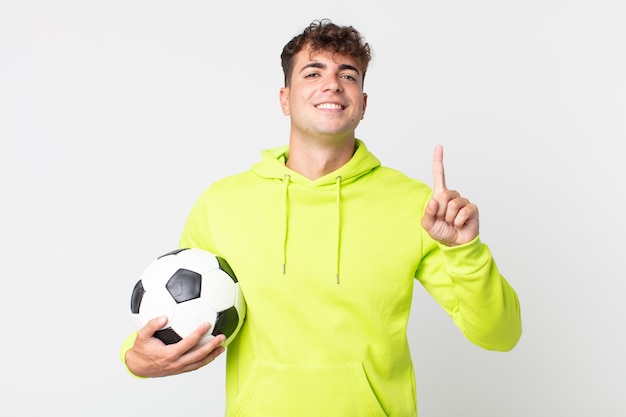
(327,269)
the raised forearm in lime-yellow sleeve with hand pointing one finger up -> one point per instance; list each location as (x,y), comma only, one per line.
(460,273)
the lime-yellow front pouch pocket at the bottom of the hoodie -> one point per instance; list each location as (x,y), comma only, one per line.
(306,390)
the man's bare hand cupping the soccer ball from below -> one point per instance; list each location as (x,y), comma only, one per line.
(150,357)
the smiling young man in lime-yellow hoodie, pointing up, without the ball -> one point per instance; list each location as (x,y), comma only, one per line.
(327,244)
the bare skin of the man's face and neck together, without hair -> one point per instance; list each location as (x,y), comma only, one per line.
(325,103)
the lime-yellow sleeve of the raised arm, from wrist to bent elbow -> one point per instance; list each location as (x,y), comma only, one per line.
(466,282)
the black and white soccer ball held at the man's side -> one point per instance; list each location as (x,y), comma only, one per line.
(189,286)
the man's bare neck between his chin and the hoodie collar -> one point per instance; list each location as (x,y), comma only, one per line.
(314,160)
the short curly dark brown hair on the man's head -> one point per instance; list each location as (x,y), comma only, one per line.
(323,35)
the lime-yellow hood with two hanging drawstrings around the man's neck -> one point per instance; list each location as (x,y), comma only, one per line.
(272,166)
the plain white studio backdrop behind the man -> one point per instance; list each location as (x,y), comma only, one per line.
(115,116)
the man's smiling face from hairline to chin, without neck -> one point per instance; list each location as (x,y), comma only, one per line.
(325,96)
